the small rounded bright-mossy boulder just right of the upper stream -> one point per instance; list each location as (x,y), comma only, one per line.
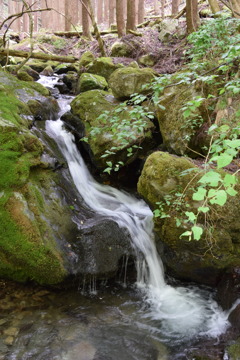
(90,81)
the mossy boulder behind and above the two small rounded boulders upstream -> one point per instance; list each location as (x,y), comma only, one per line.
(103,66)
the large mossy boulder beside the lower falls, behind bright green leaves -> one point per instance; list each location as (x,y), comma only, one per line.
(203,260)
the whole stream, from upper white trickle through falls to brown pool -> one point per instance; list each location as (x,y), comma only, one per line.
(148,320)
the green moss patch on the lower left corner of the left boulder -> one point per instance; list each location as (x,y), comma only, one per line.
(21,259)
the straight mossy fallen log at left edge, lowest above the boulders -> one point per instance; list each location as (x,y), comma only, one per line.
(40,56)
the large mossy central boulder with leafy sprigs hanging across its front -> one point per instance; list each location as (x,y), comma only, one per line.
(103,136)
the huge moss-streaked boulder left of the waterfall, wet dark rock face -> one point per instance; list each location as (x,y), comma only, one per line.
(36,194)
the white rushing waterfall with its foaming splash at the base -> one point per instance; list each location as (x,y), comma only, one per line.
(181,310)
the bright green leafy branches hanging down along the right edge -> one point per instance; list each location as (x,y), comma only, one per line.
(215,45)
